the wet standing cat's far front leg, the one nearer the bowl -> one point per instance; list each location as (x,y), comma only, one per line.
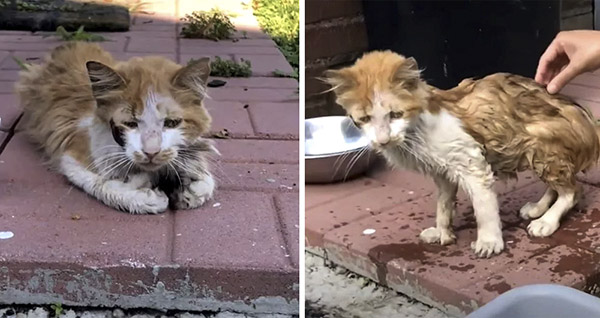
(442,232)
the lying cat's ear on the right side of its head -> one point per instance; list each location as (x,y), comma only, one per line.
(194,76)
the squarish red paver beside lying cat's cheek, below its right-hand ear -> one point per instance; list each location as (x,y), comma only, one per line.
(231,116)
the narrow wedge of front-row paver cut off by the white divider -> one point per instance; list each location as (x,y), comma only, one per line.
(288,207)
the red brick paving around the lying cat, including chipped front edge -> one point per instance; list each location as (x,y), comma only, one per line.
(239,252)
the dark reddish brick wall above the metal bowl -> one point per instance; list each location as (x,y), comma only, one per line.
(335,36)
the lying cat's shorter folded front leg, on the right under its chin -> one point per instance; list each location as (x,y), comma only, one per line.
(194,191)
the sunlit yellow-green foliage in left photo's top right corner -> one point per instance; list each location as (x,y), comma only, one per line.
(281,20)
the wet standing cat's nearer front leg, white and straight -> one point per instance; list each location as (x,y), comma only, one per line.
(479,186)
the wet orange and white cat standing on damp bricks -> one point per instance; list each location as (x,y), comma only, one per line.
(470,135)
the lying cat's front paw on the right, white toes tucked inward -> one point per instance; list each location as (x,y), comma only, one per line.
(195,194)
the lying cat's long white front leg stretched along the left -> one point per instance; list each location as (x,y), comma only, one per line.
(134,196)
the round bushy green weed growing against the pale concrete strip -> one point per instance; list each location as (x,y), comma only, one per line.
(213,25)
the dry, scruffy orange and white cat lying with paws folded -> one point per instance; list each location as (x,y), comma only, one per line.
(127,133)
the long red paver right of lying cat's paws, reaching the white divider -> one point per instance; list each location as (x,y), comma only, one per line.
(258,177)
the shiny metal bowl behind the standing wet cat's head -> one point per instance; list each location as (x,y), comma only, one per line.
(335,150)
